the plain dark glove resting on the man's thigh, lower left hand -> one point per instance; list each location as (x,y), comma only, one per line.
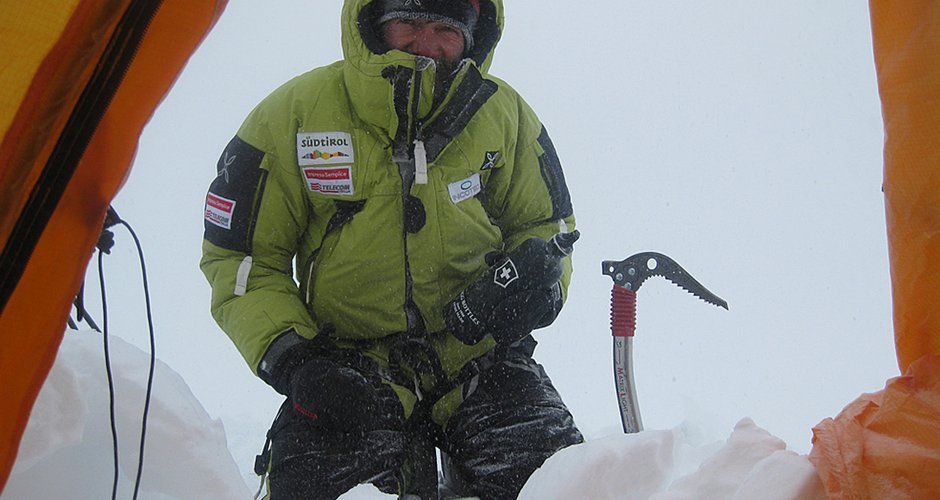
(330,393)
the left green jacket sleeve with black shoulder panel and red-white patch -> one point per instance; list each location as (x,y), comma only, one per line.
(254,218)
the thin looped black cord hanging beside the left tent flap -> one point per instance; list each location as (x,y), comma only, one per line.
(111,220)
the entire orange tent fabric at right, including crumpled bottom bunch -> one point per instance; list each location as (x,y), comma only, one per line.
(887,445)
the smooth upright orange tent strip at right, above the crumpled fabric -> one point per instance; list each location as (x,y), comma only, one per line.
(907,55)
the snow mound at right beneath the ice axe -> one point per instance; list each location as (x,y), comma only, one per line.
(668,465)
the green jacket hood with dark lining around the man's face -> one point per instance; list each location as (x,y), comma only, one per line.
(370,66)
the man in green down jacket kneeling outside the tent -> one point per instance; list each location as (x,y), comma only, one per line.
(383,236)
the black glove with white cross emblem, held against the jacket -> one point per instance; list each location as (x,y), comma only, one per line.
(518,294)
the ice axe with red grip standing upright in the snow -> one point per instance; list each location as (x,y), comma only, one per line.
(628,275)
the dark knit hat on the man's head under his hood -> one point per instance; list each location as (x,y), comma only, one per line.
(461,14)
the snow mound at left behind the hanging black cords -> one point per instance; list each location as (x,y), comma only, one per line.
(66,451)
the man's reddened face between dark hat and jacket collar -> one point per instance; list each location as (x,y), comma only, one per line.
(432,39)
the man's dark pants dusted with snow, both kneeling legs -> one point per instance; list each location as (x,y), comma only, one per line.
(510,421)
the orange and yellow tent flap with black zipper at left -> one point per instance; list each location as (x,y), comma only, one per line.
(95,71)
